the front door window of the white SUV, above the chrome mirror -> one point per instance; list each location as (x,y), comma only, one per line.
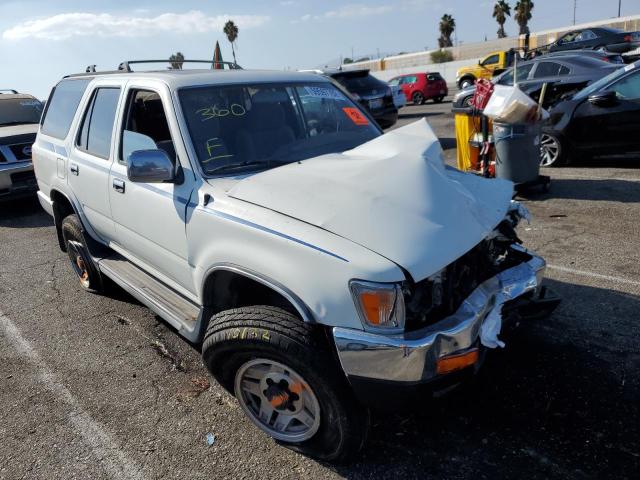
(145,126)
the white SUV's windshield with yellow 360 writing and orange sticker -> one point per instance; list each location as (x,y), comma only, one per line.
(239,128)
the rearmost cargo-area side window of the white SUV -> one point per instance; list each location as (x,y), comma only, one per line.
(61,107)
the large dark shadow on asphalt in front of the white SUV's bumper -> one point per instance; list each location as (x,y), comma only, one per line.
(560,401)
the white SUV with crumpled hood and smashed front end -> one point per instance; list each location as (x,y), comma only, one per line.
(324,266)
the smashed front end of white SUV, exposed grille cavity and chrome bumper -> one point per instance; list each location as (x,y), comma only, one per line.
(451,317)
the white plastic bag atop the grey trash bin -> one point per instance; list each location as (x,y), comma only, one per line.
(510,105)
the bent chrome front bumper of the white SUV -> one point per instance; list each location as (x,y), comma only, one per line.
(412,358)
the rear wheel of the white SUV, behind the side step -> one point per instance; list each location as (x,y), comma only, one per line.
(81,261)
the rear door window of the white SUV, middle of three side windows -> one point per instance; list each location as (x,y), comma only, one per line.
(97,125)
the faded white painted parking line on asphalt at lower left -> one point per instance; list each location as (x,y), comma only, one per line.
(105,448)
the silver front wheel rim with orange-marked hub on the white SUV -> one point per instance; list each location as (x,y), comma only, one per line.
(278,400)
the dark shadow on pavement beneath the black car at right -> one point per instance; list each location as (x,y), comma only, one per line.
(595,190)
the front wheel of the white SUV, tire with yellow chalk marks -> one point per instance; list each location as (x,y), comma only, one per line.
(286,380)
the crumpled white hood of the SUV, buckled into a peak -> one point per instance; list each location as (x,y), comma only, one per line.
(393,195)
